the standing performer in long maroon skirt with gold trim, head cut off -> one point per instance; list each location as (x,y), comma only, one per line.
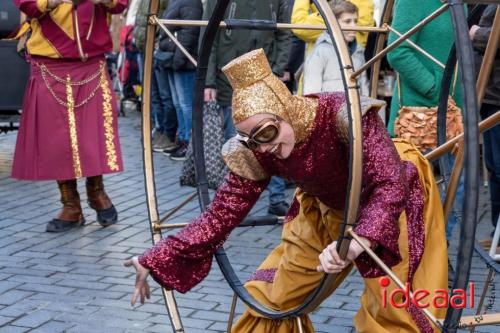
(68,124)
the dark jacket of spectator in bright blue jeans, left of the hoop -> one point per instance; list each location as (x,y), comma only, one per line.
(187,36)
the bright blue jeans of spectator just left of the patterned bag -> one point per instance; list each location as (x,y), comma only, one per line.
(182,86)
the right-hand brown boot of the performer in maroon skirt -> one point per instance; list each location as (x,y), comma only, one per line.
(100,202)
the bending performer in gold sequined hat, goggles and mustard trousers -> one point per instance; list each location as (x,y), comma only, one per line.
(400,215)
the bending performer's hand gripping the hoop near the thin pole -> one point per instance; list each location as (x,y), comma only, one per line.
(330,261)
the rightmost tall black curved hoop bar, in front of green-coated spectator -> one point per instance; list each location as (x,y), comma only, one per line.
(471,153)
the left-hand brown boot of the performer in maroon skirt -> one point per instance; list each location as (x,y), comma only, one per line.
(71,215)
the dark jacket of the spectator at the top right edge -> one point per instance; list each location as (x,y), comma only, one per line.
(492,93)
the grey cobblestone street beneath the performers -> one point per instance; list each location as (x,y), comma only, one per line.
(75,281)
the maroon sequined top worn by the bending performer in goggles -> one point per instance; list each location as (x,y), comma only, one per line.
(319,166)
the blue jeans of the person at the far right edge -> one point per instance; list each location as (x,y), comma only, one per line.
(492,160)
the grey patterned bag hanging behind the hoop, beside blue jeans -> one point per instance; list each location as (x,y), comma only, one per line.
(213,139)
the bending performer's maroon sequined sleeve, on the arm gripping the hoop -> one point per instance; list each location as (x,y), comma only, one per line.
(383,198)
